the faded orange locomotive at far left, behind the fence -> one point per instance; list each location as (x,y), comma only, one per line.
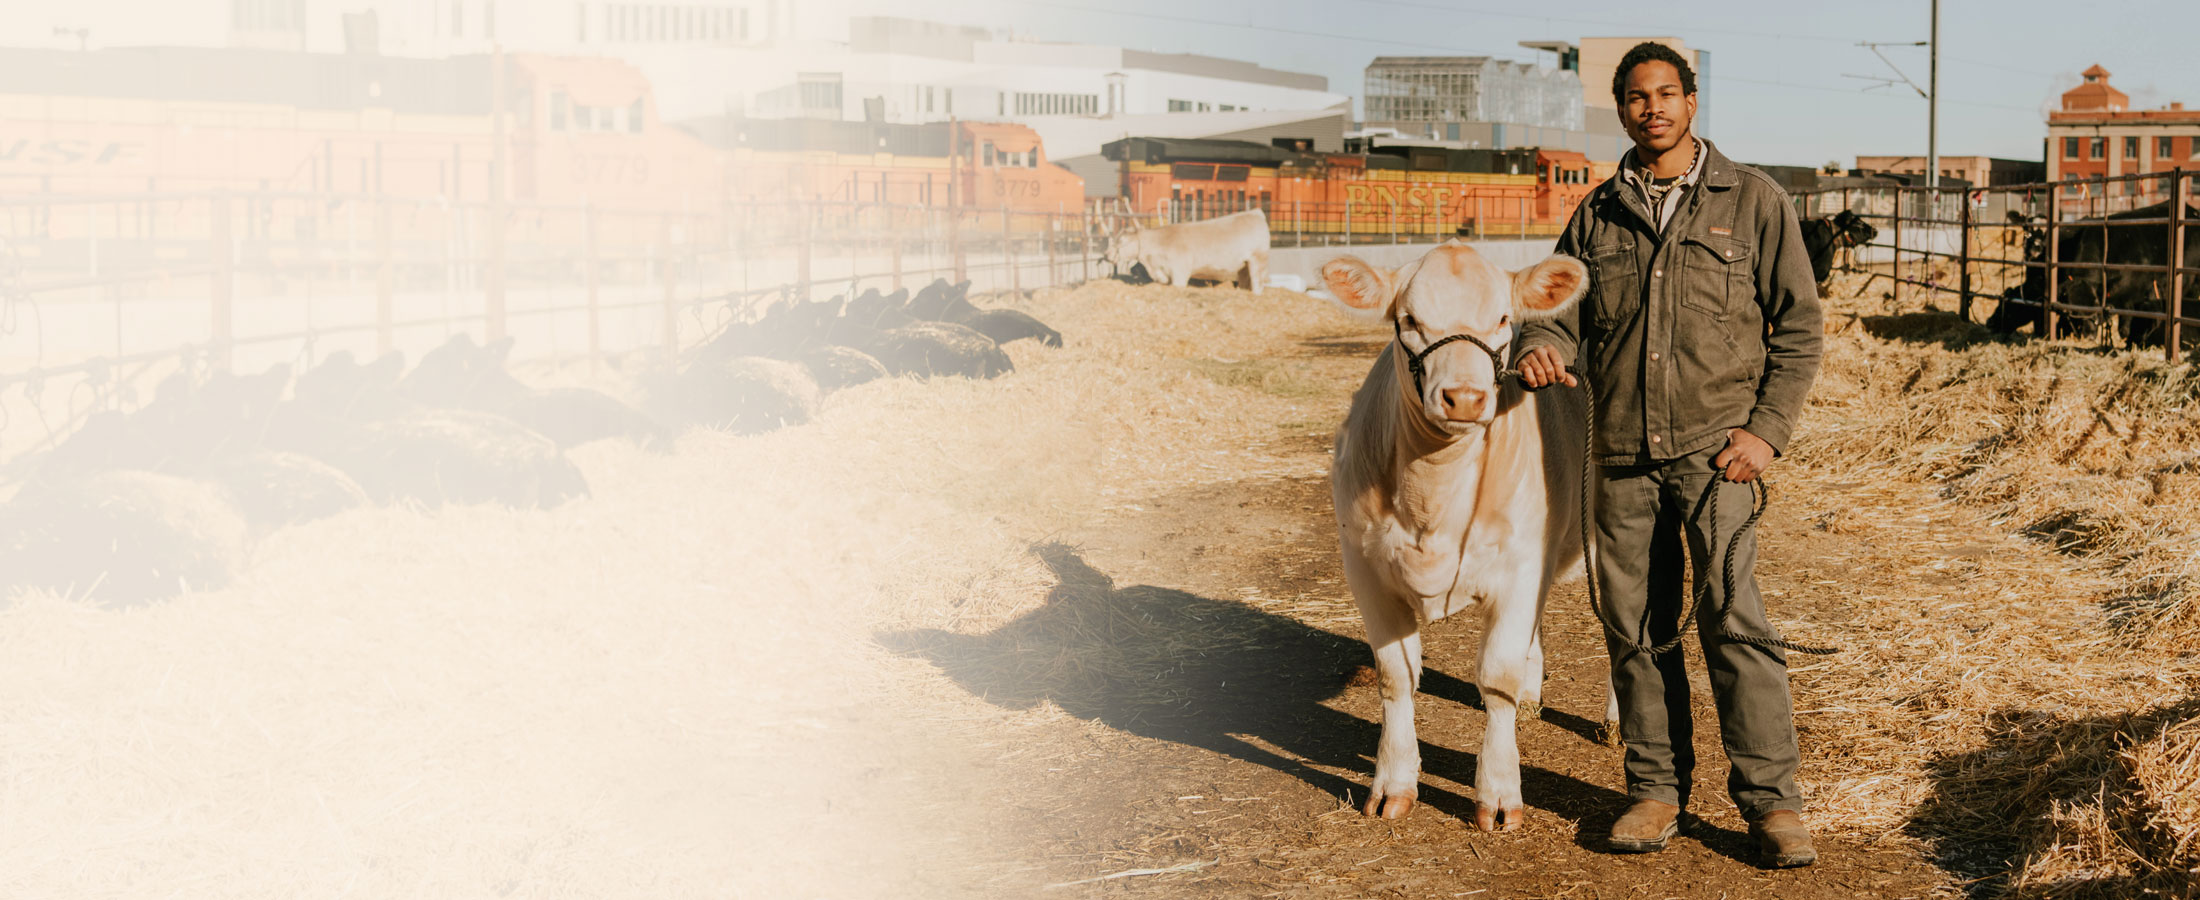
(309,149)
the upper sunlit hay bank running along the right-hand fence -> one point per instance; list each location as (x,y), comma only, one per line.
(2093,454)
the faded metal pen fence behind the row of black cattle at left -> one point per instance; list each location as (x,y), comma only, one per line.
(104,296)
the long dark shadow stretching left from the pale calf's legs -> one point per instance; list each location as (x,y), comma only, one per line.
(1213,674)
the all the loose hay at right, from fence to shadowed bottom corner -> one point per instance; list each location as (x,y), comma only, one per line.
(2058,769)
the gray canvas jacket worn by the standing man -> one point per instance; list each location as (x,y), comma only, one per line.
(1695,331)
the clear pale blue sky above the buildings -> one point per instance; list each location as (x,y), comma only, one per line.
(1776,67)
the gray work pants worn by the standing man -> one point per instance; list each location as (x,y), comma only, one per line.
(1642,516)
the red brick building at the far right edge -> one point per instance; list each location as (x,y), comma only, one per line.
(2100,135)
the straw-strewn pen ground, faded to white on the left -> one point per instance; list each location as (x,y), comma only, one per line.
(1070,633)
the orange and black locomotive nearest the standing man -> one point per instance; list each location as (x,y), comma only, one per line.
(1391,190)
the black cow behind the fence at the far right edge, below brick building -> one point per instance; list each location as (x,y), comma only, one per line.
(2102,241)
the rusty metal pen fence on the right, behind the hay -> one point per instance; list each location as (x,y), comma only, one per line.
(1926,228)
